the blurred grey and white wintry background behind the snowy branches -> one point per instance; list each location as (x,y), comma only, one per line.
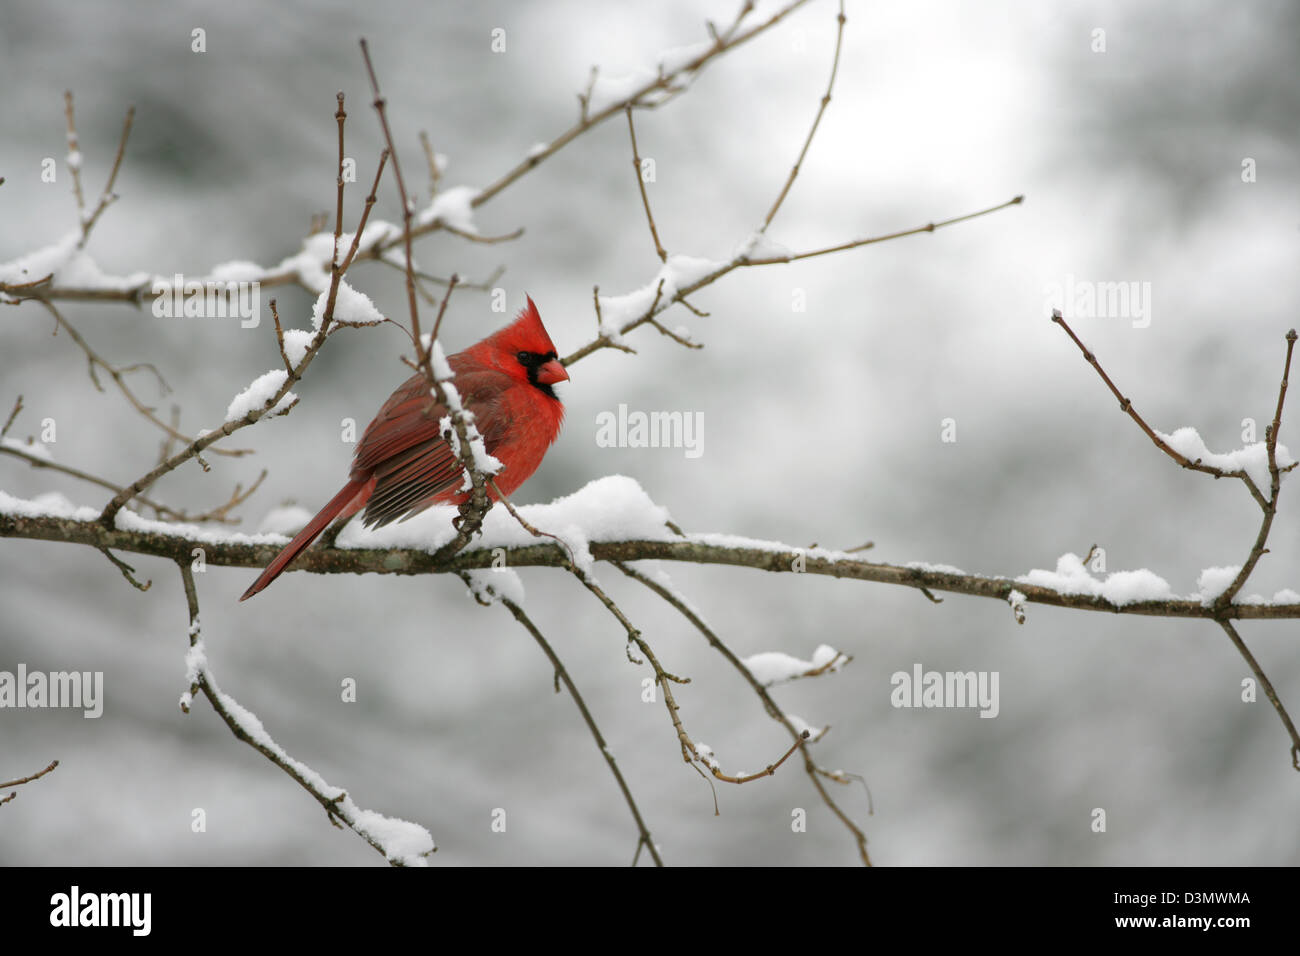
(821,426)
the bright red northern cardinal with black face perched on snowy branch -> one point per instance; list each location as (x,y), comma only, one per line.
(402,465)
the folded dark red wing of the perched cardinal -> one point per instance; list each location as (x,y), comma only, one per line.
(405,453)
